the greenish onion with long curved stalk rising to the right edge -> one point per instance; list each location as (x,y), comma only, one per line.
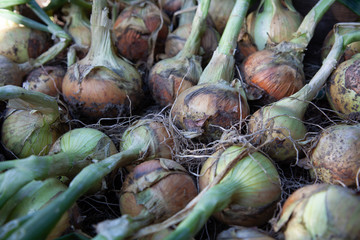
(280,125)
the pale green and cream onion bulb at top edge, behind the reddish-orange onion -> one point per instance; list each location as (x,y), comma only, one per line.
(274,21)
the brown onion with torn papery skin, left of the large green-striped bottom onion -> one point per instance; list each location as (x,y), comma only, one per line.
(162,187)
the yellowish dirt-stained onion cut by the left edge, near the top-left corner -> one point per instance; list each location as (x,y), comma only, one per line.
(20,43)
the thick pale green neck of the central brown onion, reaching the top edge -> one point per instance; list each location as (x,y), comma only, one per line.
(221,66)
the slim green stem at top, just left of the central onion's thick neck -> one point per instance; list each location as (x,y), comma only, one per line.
(198,28)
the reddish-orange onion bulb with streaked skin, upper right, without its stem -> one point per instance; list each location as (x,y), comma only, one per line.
(272,75)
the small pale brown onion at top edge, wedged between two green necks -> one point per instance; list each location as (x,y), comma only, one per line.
(219,12)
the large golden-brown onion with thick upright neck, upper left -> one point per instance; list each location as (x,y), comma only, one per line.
(101,84)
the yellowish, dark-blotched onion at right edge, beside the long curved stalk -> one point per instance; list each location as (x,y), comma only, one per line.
(343,89)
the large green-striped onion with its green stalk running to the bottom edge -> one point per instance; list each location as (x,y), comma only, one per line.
(247,195)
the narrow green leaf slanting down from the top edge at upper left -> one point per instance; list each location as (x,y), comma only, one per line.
(53,28)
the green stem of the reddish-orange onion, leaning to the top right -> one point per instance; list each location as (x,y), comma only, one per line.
(307,27)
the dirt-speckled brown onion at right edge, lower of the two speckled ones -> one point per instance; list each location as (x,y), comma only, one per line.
(335,158)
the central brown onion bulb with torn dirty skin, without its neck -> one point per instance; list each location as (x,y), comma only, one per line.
(207,108)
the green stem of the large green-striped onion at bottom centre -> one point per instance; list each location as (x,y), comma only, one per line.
(215,199)
